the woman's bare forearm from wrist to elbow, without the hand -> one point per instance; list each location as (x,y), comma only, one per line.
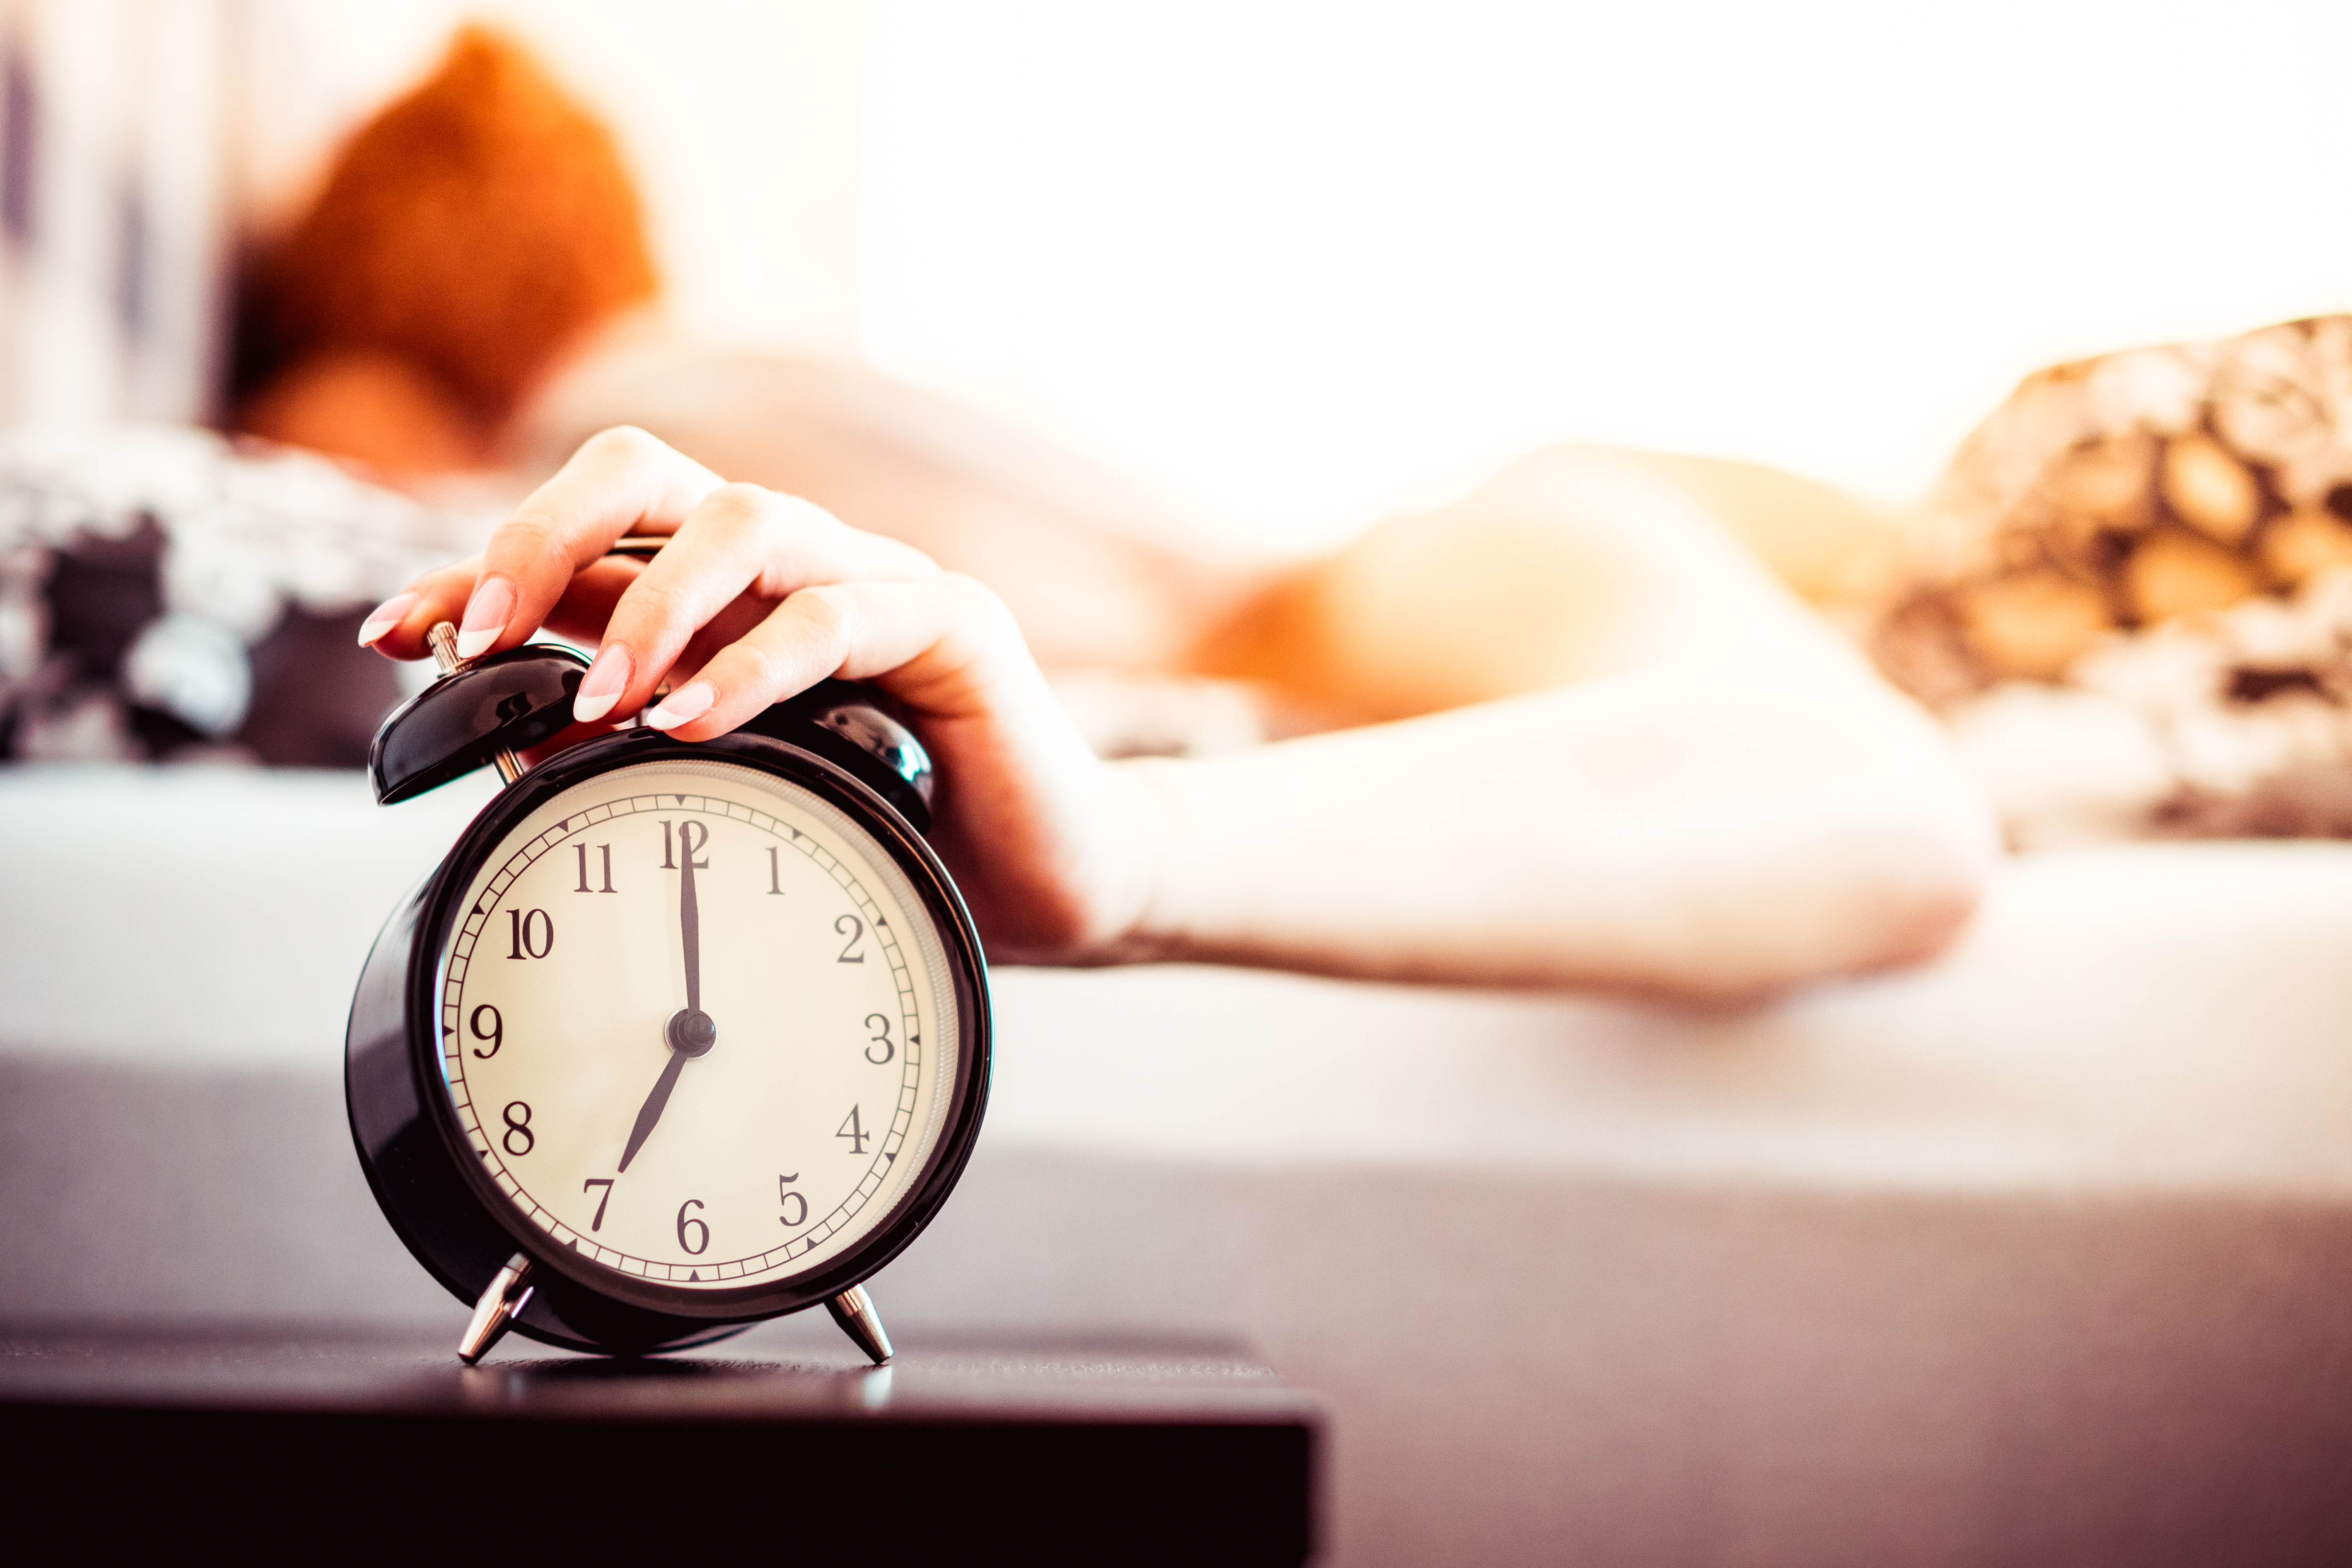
(1681,831)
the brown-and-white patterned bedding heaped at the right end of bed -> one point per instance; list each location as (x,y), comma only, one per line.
(2134,594)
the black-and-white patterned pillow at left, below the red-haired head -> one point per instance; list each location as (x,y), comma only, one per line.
(166,596)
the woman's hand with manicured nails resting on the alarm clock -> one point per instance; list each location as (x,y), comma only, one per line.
(763,596)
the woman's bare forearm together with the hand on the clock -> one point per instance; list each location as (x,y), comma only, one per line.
(1704,826)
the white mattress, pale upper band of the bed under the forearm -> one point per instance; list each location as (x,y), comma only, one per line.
(2163,1014)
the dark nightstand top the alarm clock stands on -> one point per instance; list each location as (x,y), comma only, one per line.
(377,1442)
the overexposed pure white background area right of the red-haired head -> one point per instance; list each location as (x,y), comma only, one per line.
(1307,260)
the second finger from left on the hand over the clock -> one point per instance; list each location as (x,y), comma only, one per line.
(617,483)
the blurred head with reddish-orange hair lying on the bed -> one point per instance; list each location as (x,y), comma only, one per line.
(467,236)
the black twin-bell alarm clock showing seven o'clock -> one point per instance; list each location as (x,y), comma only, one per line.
(679,1038)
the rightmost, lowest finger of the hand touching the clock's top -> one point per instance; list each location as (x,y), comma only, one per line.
(916,638)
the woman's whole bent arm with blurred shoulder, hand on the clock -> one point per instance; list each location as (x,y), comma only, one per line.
(1584,735)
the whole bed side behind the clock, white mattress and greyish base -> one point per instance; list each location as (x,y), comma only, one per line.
(2036,1254)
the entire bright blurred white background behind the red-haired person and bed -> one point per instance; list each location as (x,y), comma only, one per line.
(1295,260)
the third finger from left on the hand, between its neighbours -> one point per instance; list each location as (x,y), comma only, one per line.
(742,542)
